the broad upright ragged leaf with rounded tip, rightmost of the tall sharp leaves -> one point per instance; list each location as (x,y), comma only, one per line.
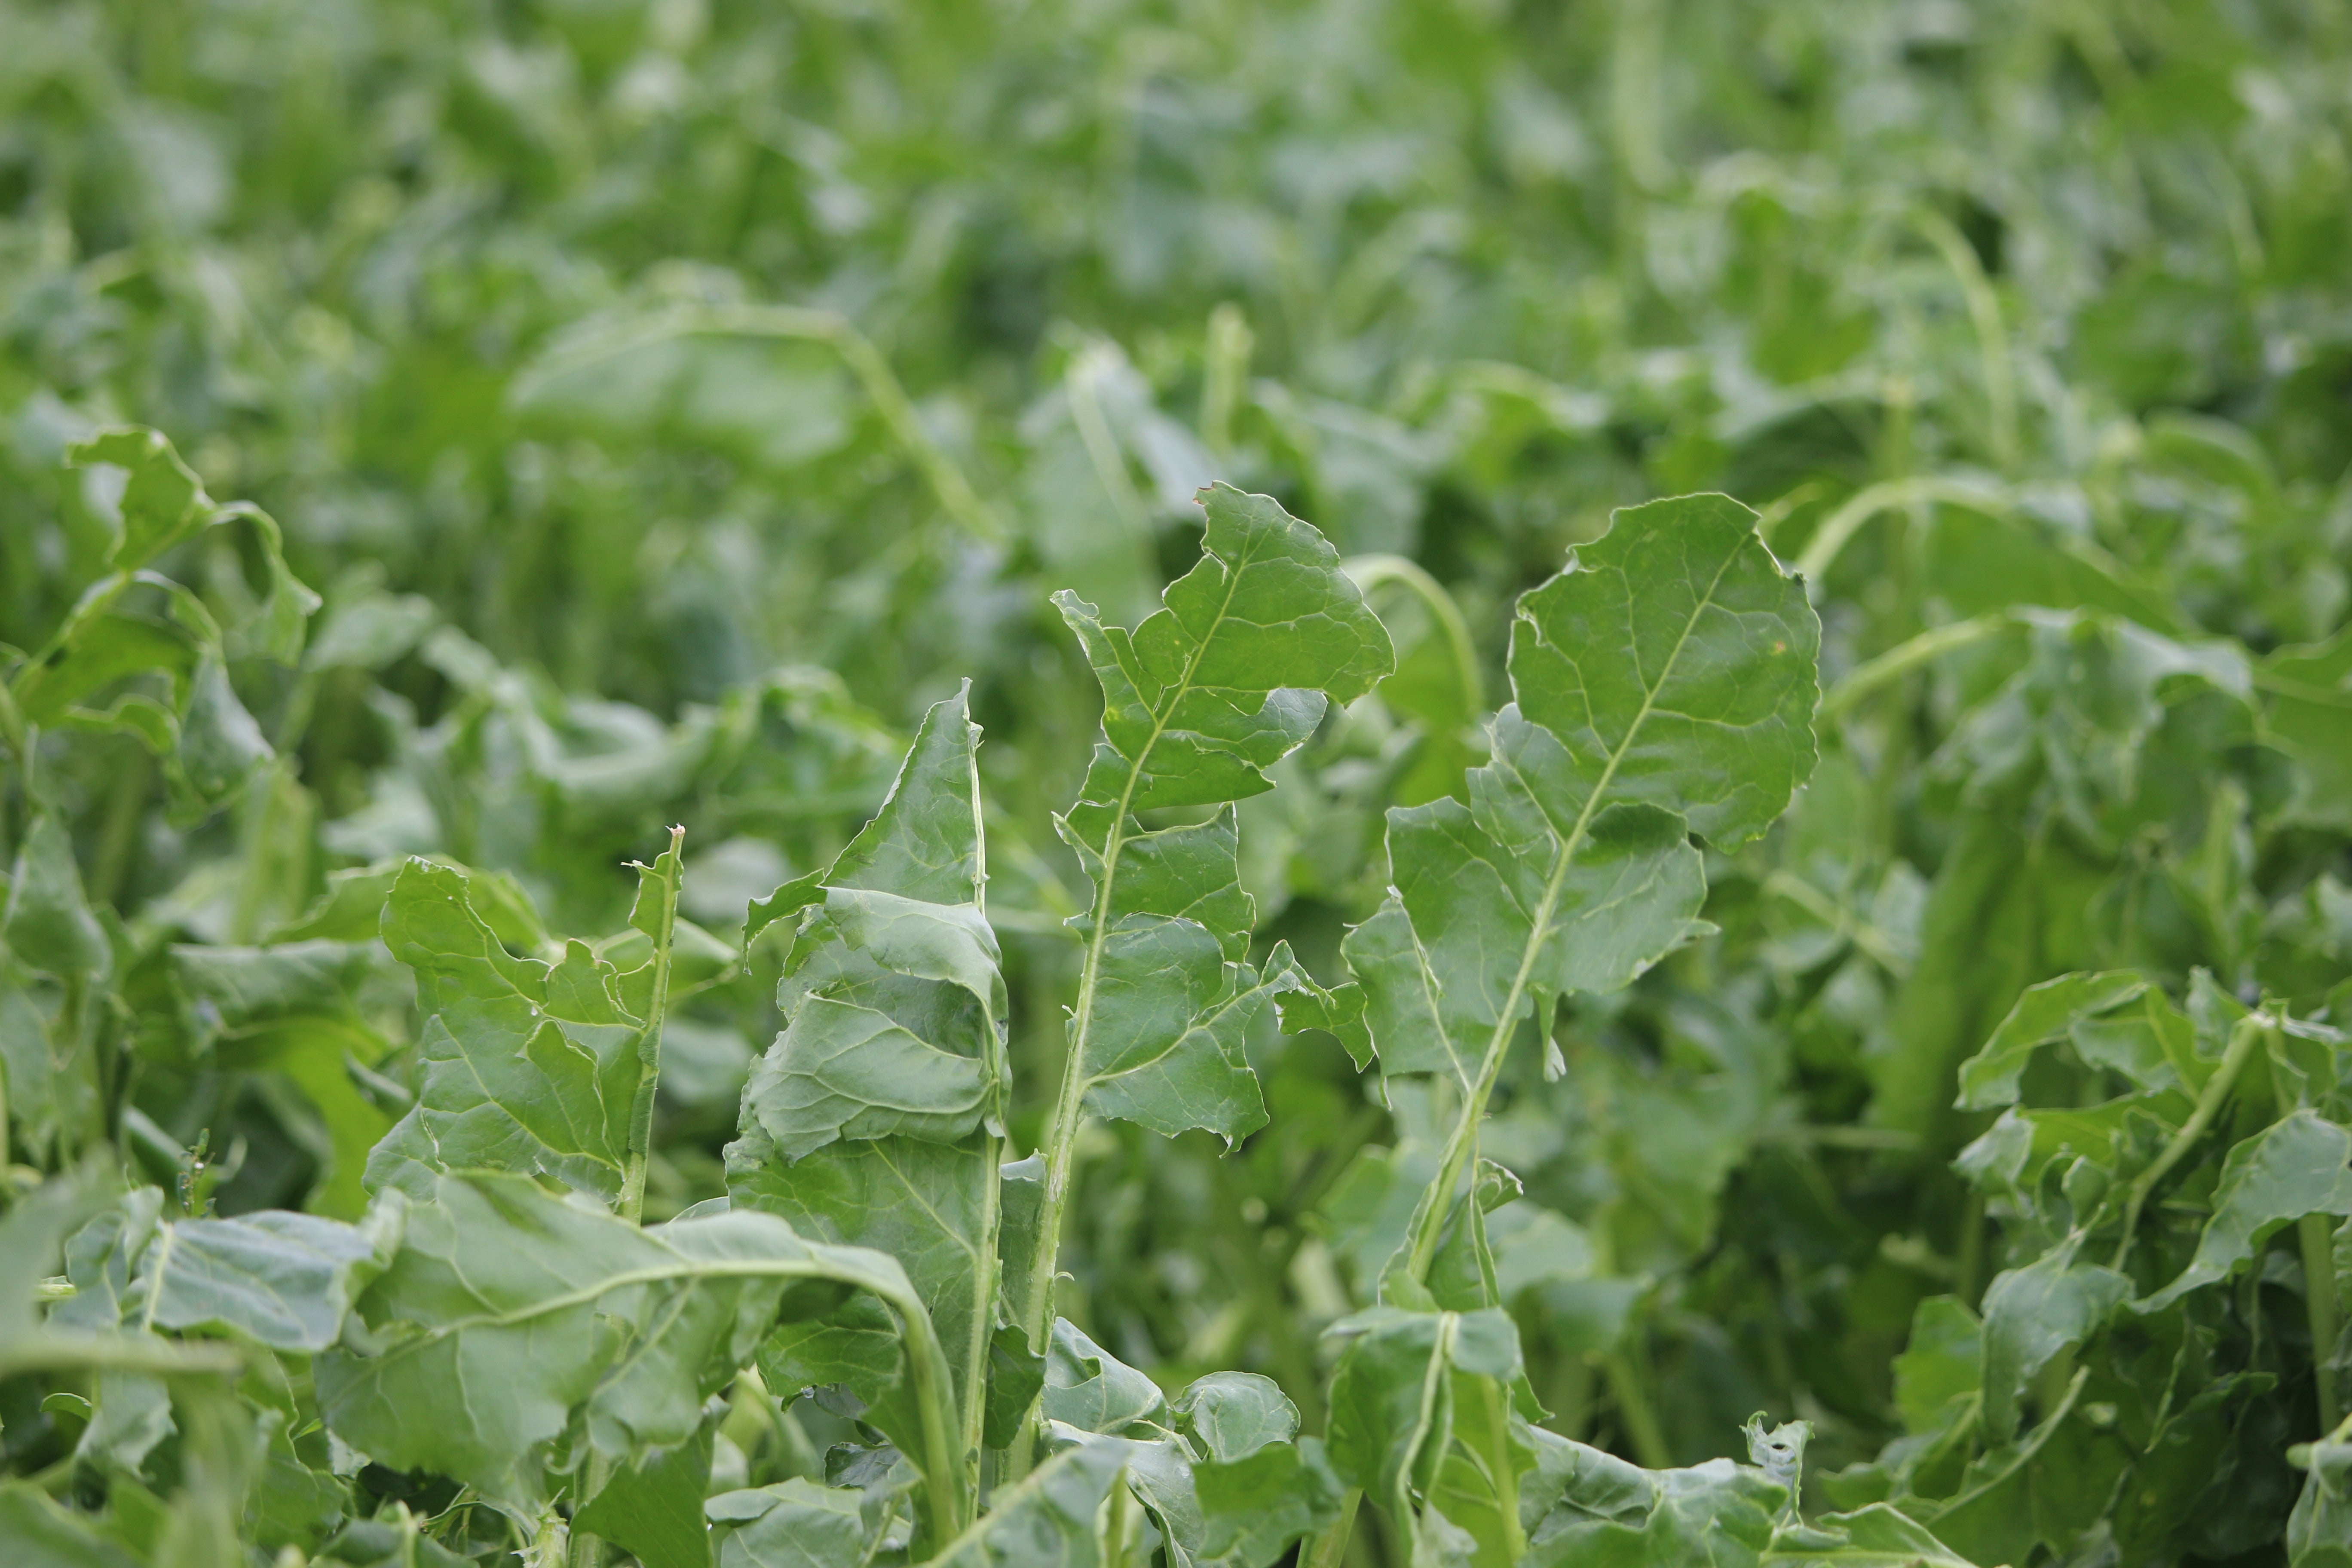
(1664,685)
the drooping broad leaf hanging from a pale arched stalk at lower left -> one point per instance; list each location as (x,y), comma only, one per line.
(509,1313)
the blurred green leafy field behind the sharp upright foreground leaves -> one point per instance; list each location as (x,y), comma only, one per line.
(674,398)
